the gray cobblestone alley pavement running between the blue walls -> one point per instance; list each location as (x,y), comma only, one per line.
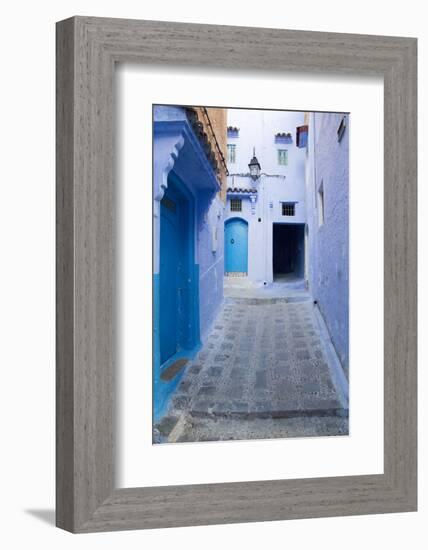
(262,373)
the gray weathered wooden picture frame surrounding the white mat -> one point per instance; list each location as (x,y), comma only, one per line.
(87,50)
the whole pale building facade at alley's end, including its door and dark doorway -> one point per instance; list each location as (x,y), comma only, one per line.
(266,210)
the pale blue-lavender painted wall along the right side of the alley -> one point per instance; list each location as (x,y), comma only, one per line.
(328,166)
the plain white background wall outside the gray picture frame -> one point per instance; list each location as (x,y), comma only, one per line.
(27,351)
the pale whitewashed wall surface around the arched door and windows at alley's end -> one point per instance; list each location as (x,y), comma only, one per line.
(277,184)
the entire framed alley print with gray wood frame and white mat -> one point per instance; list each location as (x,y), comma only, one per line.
(236,274)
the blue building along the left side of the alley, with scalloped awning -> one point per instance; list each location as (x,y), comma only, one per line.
(188,260)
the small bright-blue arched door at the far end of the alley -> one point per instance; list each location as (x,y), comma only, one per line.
(236,246)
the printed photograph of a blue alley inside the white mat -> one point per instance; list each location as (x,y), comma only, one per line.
(251,275)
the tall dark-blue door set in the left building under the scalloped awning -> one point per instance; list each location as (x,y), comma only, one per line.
(169,269)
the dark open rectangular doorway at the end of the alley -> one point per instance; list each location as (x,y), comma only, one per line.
(288,251)
